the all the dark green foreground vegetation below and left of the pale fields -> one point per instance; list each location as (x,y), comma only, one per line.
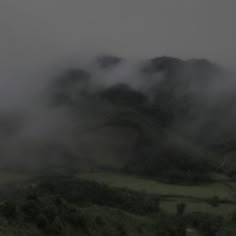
(69,206)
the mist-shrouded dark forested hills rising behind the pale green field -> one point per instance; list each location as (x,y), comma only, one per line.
(161,117)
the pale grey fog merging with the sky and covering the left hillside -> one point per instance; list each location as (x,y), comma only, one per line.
(39,39)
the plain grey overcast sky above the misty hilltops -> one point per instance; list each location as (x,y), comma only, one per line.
(38,31)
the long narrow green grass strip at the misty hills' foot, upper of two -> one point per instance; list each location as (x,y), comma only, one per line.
(155,187)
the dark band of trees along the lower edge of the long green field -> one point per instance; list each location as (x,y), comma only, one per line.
(84,193)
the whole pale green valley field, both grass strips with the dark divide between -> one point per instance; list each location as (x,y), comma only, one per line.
(194,196)
